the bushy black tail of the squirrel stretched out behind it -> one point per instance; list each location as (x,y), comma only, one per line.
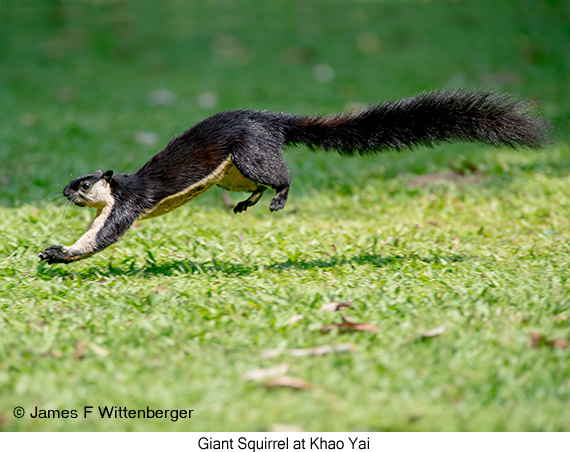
(426,119)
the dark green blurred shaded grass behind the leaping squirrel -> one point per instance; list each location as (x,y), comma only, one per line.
(89,84)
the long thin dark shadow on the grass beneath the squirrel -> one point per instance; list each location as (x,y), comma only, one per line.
(153,269)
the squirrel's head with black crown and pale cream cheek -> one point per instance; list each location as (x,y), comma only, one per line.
(93,190)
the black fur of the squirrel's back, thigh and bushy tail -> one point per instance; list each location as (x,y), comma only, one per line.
(255,139)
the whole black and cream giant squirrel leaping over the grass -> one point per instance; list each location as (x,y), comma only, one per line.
(242,151)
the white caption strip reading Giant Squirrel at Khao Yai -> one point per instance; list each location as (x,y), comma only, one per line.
(189,442)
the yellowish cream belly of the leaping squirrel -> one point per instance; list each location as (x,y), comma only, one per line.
(226,176)
